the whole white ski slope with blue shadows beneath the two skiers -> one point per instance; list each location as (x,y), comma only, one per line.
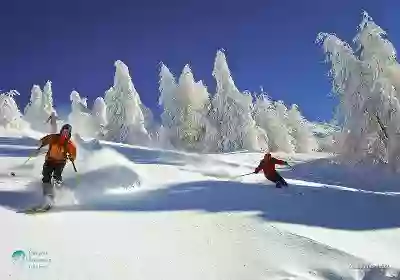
(139,213)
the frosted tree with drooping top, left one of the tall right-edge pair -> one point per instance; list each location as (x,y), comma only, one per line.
(350,87)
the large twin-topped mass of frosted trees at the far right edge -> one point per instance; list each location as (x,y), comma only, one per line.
(366,82)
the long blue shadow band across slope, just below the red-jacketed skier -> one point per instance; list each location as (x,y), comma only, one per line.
(317,207)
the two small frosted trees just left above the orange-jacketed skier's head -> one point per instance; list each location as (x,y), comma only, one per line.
(39,108)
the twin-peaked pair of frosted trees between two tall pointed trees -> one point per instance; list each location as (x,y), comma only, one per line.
(185,107)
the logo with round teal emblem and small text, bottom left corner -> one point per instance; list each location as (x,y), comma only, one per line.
(31,259)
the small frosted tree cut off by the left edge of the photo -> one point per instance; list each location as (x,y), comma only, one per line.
(10,116)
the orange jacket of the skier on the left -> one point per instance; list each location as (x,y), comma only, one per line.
(59,150)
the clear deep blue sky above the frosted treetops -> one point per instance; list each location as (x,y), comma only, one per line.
(74,44)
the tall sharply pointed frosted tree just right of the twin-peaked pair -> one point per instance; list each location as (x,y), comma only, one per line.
(231,112)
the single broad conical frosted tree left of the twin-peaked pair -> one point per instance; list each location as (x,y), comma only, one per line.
(125,120)
